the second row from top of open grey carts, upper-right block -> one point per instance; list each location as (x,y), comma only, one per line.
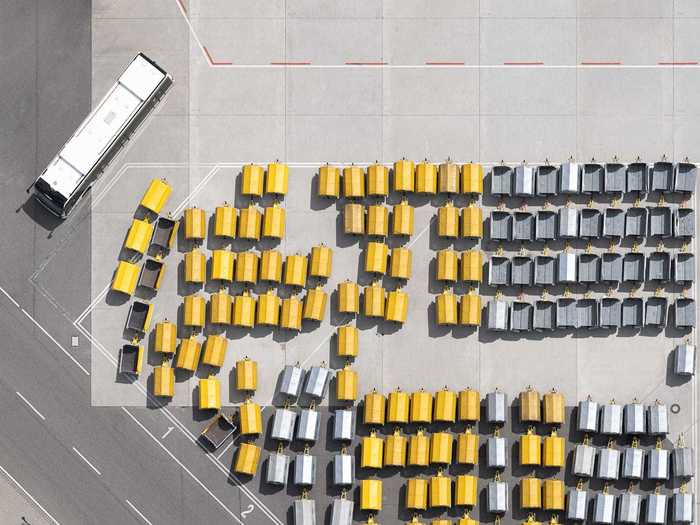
(569,222)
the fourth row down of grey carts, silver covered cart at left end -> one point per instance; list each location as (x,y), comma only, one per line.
(607,312)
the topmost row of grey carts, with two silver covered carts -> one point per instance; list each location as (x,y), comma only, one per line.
(592,177)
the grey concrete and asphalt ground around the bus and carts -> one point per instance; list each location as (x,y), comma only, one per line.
(82,448)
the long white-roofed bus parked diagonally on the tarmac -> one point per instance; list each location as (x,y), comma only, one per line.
(100,136)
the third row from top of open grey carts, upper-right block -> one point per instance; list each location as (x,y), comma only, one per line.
(613,268)
